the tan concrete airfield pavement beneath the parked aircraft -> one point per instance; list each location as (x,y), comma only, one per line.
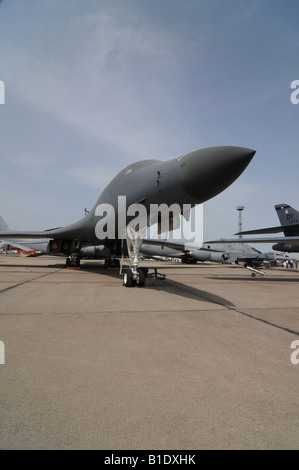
(201,360)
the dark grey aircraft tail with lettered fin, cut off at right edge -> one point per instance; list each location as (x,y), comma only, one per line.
(289,219)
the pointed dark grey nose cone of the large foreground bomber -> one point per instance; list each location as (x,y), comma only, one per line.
(207,172)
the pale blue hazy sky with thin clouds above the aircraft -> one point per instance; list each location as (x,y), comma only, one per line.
(93,86)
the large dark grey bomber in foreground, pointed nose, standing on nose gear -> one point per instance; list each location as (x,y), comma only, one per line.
(106,230)
